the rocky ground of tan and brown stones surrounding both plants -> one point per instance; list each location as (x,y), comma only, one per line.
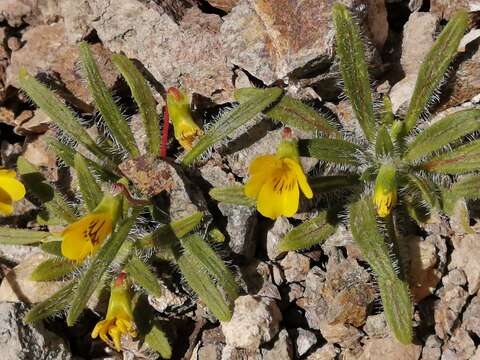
(320,304)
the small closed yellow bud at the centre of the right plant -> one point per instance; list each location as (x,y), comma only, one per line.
(385,194)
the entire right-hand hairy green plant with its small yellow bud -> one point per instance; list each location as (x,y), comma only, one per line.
(390,170)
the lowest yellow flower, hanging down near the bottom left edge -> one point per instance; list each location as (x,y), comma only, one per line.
(119,319)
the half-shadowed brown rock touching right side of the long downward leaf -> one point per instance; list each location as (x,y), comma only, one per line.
(424,276)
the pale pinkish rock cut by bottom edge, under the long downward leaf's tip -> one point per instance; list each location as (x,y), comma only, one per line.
(389,348)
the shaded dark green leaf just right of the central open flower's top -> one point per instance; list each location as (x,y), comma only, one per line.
(330,150)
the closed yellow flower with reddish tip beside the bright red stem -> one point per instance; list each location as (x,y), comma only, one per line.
(185,129)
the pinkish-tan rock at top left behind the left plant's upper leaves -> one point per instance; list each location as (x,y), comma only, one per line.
(46,52)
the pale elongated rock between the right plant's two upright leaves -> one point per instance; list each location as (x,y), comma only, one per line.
(418,37)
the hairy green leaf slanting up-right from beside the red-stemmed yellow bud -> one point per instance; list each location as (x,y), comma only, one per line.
(232,120)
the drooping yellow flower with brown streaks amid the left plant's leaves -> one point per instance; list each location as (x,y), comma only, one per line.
(83,237)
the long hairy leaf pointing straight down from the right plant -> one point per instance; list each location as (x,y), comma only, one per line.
(394,291)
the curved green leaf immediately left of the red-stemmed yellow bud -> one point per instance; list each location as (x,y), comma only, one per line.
(144,98)
